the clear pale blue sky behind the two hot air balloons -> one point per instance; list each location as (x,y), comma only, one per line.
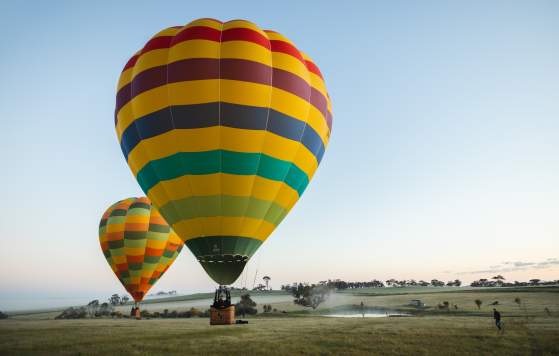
(443,162)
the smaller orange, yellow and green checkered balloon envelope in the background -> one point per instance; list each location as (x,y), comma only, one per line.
(138,244)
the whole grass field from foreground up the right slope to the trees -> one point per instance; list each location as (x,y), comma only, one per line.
(529,329)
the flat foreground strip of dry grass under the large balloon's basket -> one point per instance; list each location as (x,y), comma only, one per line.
(308,335)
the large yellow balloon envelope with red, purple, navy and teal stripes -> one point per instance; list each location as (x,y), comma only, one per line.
(223,125)
